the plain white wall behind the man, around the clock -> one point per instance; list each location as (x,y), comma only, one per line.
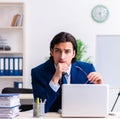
(45,18)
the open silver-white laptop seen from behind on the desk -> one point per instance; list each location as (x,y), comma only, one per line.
(85,100)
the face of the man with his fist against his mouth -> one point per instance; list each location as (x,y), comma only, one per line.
(63,53)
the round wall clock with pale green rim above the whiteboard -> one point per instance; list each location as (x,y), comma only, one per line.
(100,13)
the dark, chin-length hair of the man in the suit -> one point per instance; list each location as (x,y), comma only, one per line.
(64,37)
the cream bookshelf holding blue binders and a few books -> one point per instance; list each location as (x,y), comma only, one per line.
(11,43)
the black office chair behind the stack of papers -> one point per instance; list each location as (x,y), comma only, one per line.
(22,107)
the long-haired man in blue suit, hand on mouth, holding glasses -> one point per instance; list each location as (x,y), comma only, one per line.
(47,77)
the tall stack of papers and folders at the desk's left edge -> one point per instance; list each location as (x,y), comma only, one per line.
(9,105)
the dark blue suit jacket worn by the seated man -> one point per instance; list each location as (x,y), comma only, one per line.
(42,75)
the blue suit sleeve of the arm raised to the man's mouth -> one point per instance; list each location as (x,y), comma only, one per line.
(42,89)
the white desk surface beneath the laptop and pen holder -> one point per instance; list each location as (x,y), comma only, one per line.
(29,115)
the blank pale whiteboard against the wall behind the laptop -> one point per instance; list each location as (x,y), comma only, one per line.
(108,59)
